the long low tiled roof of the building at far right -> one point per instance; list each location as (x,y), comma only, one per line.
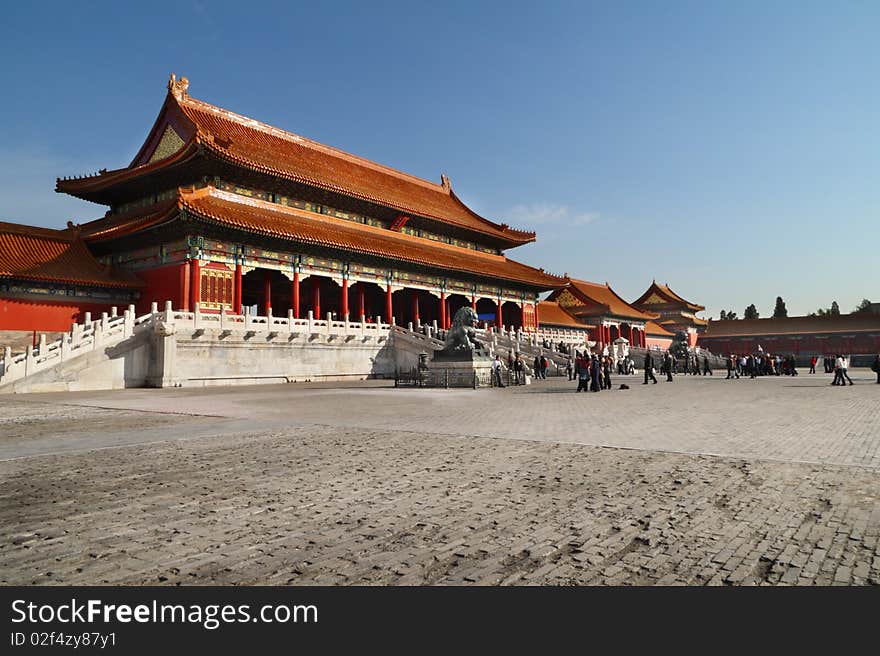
(844,323)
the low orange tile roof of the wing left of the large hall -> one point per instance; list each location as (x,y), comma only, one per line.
(31,253)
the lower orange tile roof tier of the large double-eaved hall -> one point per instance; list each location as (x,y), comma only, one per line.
(280,221)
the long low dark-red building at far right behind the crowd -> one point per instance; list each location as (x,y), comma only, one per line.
(851,334)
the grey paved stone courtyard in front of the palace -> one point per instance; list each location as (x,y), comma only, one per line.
(699,481)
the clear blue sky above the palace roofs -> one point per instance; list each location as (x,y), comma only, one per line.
(729,149)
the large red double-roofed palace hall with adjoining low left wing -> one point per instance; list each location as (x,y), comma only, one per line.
(228,212)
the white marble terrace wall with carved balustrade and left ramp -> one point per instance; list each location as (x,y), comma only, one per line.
(178,348)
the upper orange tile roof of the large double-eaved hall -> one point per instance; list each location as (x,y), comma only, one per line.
(257,146)
